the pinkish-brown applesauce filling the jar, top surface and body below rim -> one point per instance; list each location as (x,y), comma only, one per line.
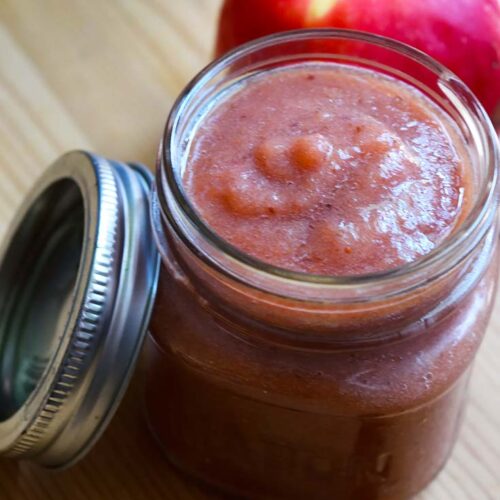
(336,171)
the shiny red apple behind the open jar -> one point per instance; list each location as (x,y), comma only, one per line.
(464,35)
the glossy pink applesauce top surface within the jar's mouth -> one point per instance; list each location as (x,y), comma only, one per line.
(328,169)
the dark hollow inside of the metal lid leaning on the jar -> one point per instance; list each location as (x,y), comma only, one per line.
(37,281)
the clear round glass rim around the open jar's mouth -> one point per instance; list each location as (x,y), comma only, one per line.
(471,229)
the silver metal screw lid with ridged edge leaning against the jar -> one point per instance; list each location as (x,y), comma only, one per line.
(78,275)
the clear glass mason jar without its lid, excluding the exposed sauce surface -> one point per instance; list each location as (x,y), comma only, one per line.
(277,384)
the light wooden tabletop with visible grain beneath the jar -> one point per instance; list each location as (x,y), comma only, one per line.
(101,75)
